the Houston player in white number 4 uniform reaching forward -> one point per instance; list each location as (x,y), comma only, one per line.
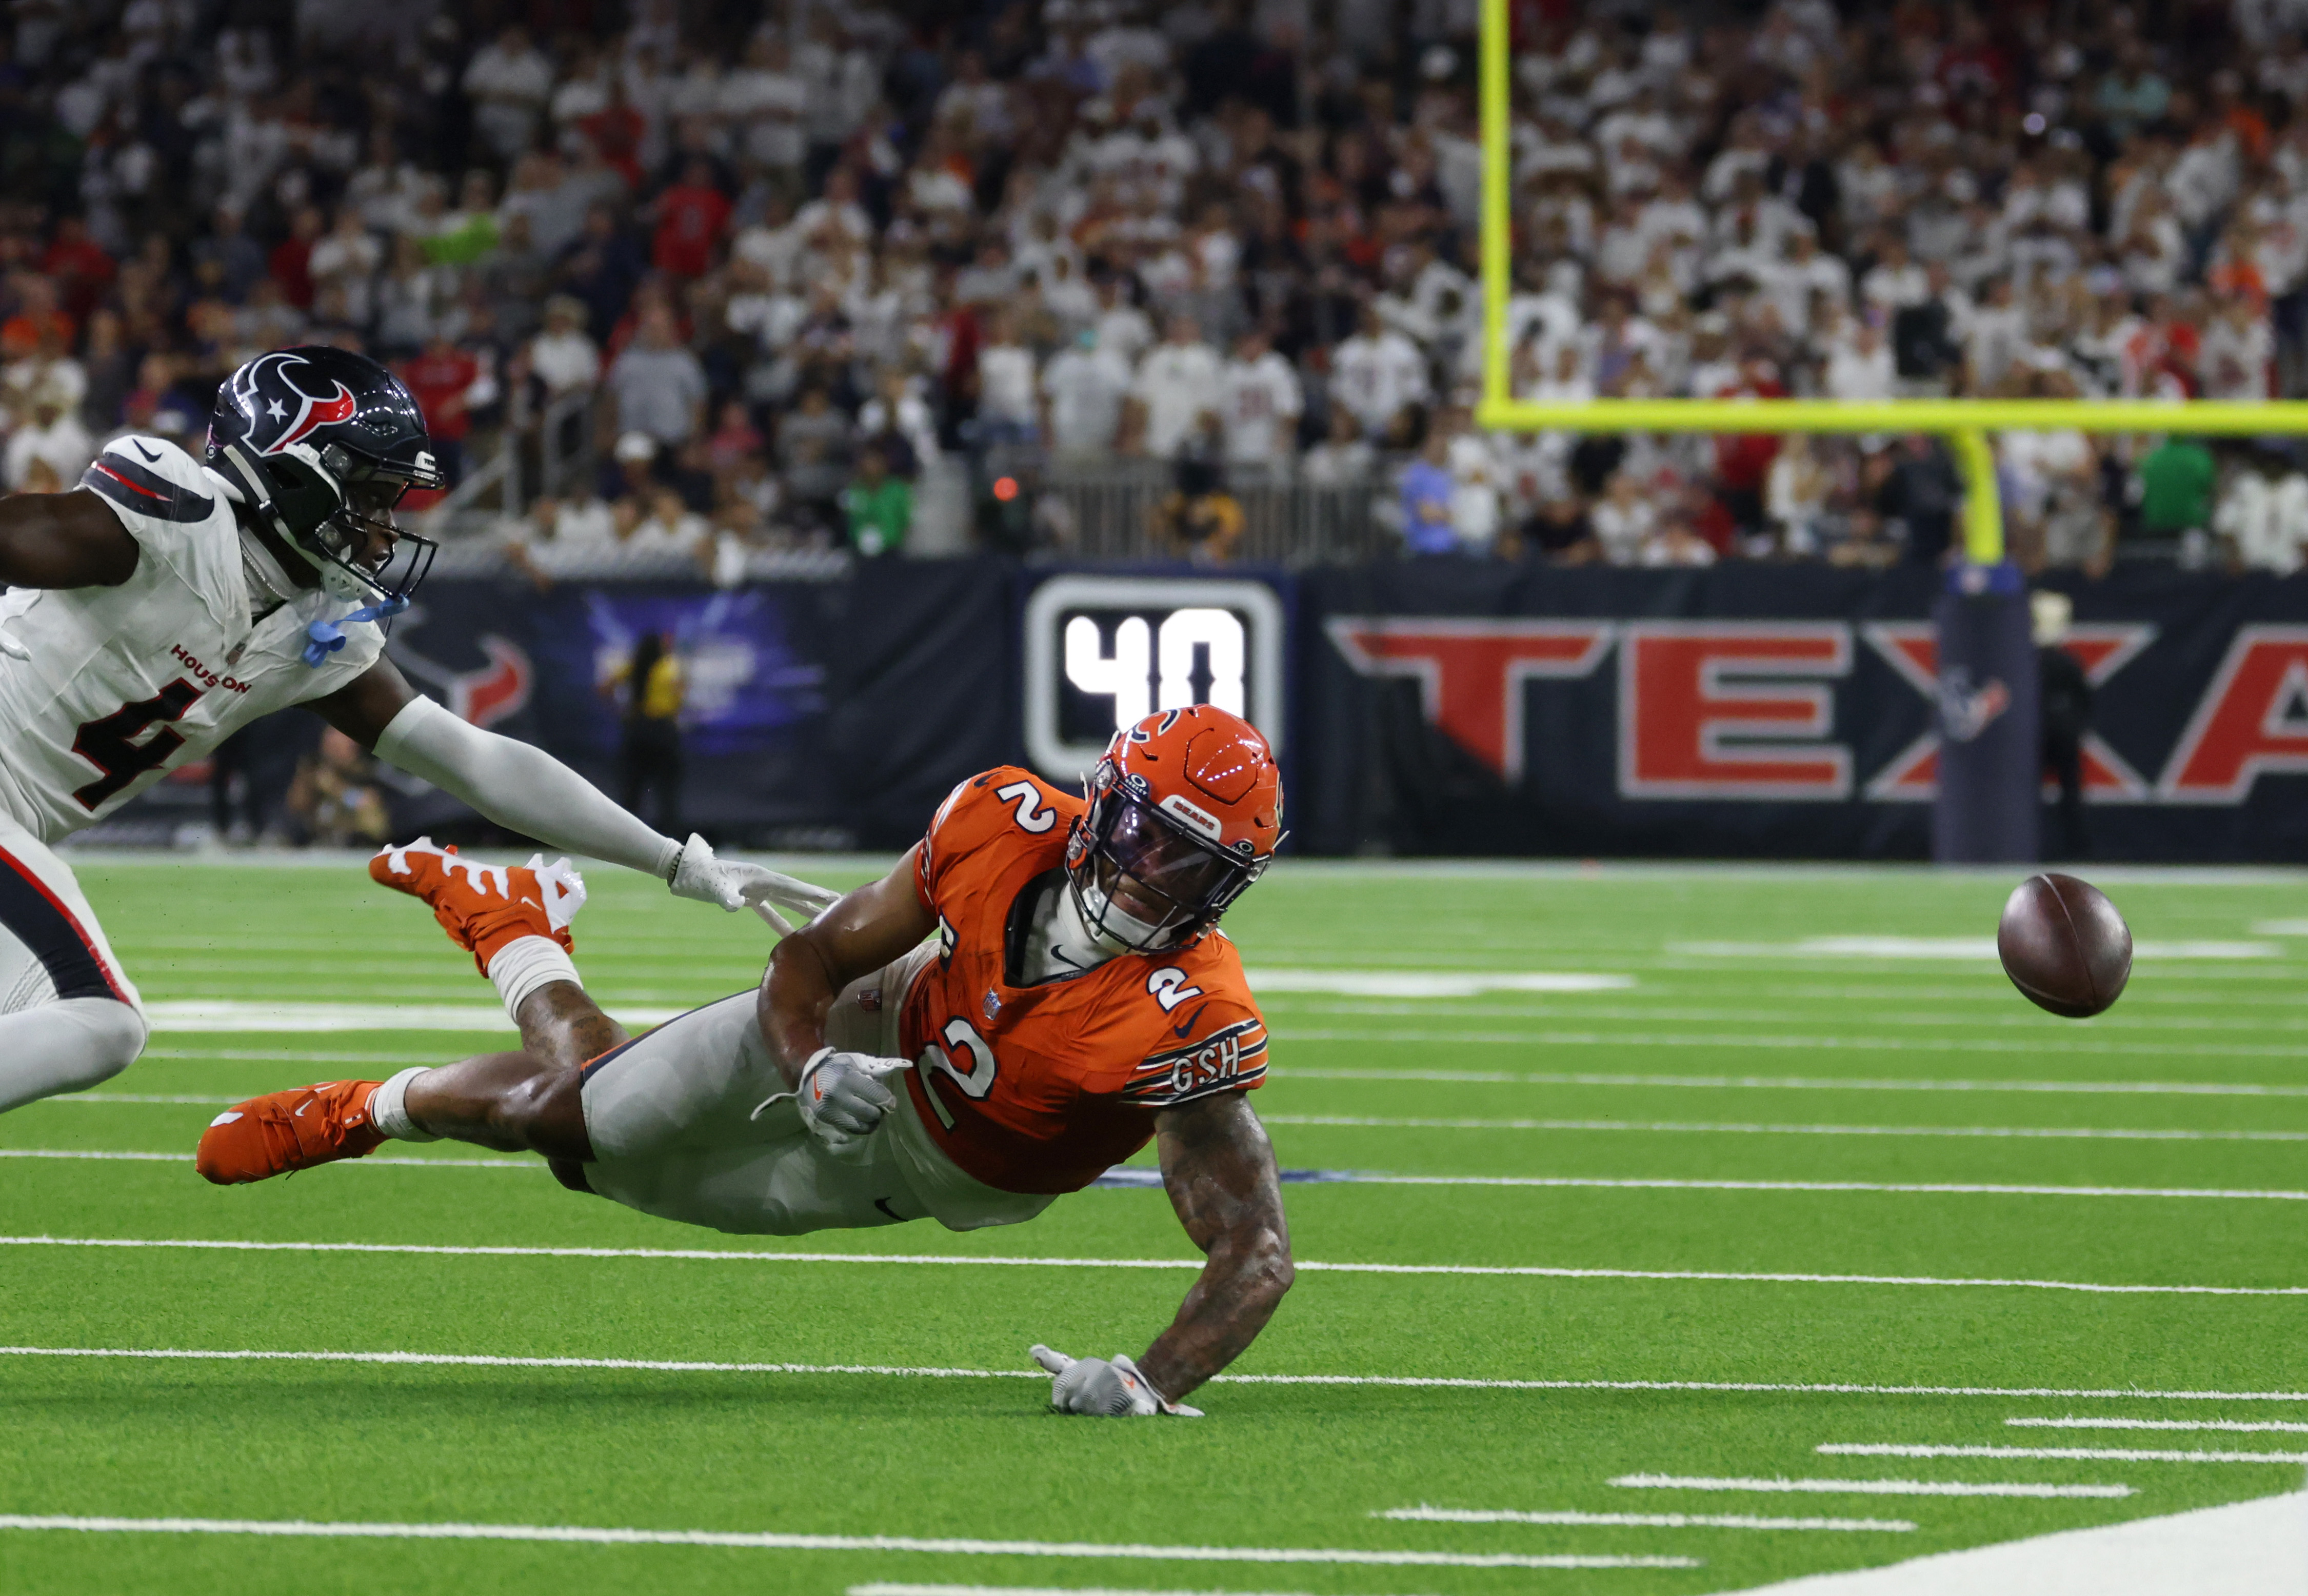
(167,603)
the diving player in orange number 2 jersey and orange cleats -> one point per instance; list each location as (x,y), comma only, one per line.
(1021,1004)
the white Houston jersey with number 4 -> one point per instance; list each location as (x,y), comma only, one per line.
(128,684)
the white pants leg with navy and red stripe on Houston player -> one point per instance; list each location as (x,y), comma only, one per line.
(68,1016)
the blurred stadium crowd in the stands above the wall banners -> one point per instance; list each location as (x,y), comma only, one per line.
(807,255)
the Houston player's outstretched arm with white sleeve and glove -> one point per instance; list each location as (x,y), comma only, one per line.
(532,792)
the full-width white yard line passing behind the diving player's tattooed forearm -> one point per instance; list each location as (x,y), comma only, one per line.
(1536,1272)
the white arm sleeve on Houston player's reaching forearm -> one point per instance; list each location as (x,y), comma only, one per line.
(523,788)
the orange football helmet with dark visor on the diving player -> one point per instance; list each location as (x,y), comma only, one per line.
(1185,813)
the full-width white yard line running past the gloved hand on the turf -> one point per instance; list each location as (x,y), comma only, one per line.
(673,1367)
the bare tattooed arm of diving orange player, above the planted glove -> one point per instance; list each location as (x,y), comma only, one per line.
(1220,1173)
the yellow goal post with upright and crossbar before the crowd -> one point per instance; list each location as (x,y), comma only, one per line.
(1963,423)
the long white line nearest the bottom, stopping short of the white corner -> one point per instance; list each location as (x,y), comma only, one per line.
(825,1544)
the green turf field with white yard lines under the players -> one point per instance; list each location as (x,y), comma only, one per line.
(1843,1173)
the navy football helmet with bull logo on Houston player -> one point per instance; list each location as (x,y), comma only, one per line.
(322,444)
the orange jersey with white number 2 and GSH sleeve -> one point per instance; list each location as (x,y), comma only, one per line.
(1042,1090)
